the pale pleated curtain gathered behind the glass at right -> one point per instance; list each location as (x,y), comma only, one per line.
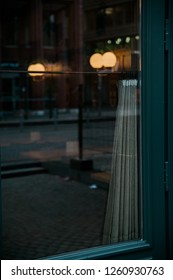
(121,221)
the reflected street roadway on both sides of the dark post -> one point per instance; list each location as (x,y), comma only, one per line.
(44,142)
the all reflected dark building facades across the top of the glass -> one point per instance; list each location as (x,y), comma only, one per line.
(50,31)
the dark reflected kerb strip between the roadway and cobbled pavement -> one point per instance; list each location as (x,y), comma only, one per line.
(99,175)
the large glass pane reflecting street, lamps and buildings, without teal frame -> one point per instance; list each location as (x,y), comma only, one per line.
(70,125)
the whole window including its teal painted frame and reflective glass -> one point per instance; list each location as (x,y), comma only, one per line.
(91,140)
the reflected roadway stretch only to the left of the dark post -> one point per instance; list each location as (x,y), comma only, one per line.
(35,143)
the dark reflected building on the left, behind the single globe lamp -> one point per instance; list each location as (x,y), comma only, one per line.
(37,30)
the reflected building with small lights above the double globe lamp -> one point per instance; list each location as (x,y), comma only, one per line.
(113,26)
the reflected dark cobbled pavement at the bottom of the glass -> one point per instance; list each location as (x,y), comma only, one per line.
(48,214)
